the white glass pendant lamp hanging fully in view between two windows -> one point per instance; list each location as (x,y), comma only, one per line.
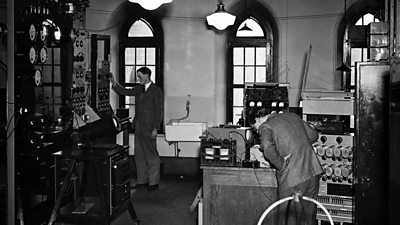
(220,19)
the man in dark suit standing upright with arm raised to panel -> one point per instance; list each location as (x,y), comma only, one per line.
(148,116)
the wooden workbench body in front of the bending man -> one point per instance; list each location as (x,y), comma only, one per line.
(236,195)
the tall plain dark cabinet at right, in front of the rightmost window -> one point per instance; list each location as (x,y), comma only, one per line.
(372,142)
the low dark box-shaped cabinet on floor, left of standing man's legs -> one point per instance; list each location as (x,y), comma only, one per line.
(92,183)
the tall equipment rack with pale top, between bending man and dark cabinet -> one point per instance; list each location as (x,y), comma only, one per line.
(333,115)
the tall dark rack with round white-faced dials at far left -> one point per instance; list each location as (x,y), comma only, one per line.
(37,105)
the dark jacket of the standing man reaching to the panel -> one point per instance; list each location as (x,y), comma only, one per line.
(148,105)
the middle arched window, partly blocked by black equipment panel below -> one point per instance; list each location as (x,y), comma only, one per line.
(251,55)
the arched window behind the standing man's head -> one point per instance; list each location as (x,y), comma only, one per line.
(140,45)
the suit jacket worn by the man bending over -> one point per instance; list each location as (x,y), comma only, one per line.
(284,134)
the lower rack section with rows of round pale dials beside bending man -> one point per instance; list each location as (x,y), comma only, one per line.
(336,190)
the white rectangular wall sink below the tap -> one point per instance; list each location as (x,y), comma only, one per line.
(184,131)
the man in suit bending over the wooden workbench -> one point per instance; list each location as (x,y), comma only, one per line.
(286,141)
